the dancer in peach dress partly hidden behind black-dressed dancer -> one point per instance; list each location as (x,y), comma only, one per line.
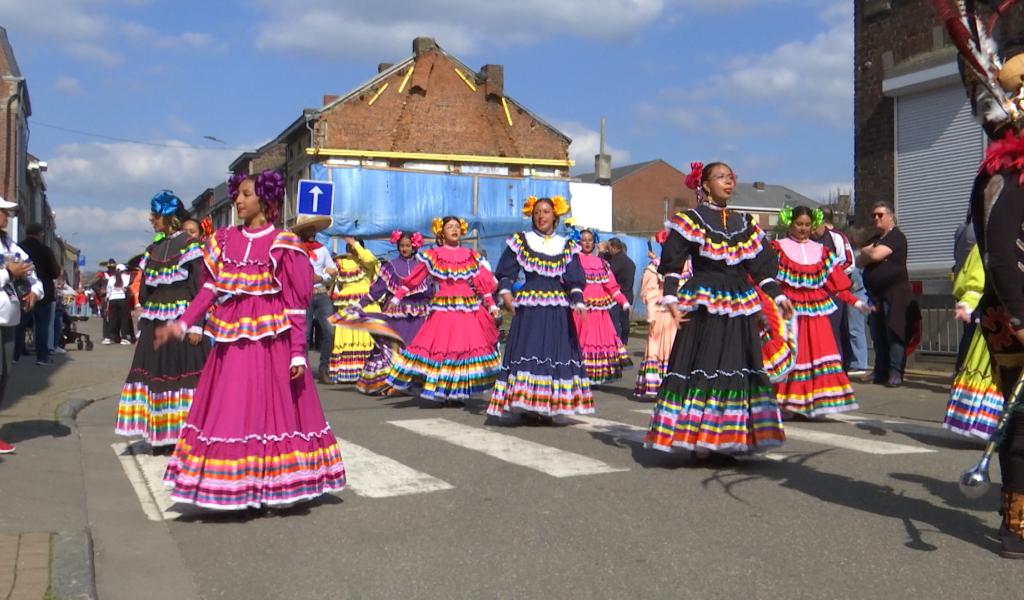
(662,328)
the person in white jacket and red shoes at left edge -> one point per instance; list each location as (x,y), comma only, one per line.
(19,286)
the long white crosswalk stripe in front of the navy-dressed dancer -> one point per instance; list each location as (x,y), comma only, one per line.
(545,459)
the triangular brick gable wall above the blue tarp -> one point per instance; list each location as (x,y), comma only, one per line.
(438,113)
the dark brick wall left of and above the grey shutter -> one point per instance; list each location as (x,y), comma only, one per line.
(882,36)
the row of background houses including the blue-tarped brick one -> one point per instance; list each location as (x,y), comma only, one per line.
(431,136)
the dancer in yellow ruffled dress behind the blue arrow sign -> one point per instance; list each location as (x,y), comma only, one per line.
(357,270)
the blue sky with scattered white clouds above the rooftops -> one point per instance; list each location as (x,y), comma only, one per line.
(766,85)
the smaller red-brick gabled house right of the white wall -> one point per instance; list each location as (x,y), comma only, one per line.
(645,195)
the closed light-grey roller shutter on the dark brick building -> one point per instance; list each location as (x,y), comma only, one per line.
(938,149)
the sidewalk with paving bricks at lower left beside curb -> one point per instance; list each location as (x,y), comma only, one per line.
(44,523)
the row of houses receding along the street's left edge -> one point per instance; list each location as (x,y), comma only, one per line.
(24,175)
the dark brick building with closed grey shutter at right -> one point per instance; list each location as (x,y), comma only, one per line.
(917,143)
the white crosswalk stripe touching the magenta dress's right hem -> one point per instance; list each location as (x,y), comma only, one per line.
(374,476)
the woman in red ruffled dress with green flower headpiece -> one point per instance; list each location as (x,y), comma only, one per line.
(812,276)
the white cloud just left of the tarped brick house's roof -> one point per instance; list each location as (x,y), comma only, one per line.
(114,176)
